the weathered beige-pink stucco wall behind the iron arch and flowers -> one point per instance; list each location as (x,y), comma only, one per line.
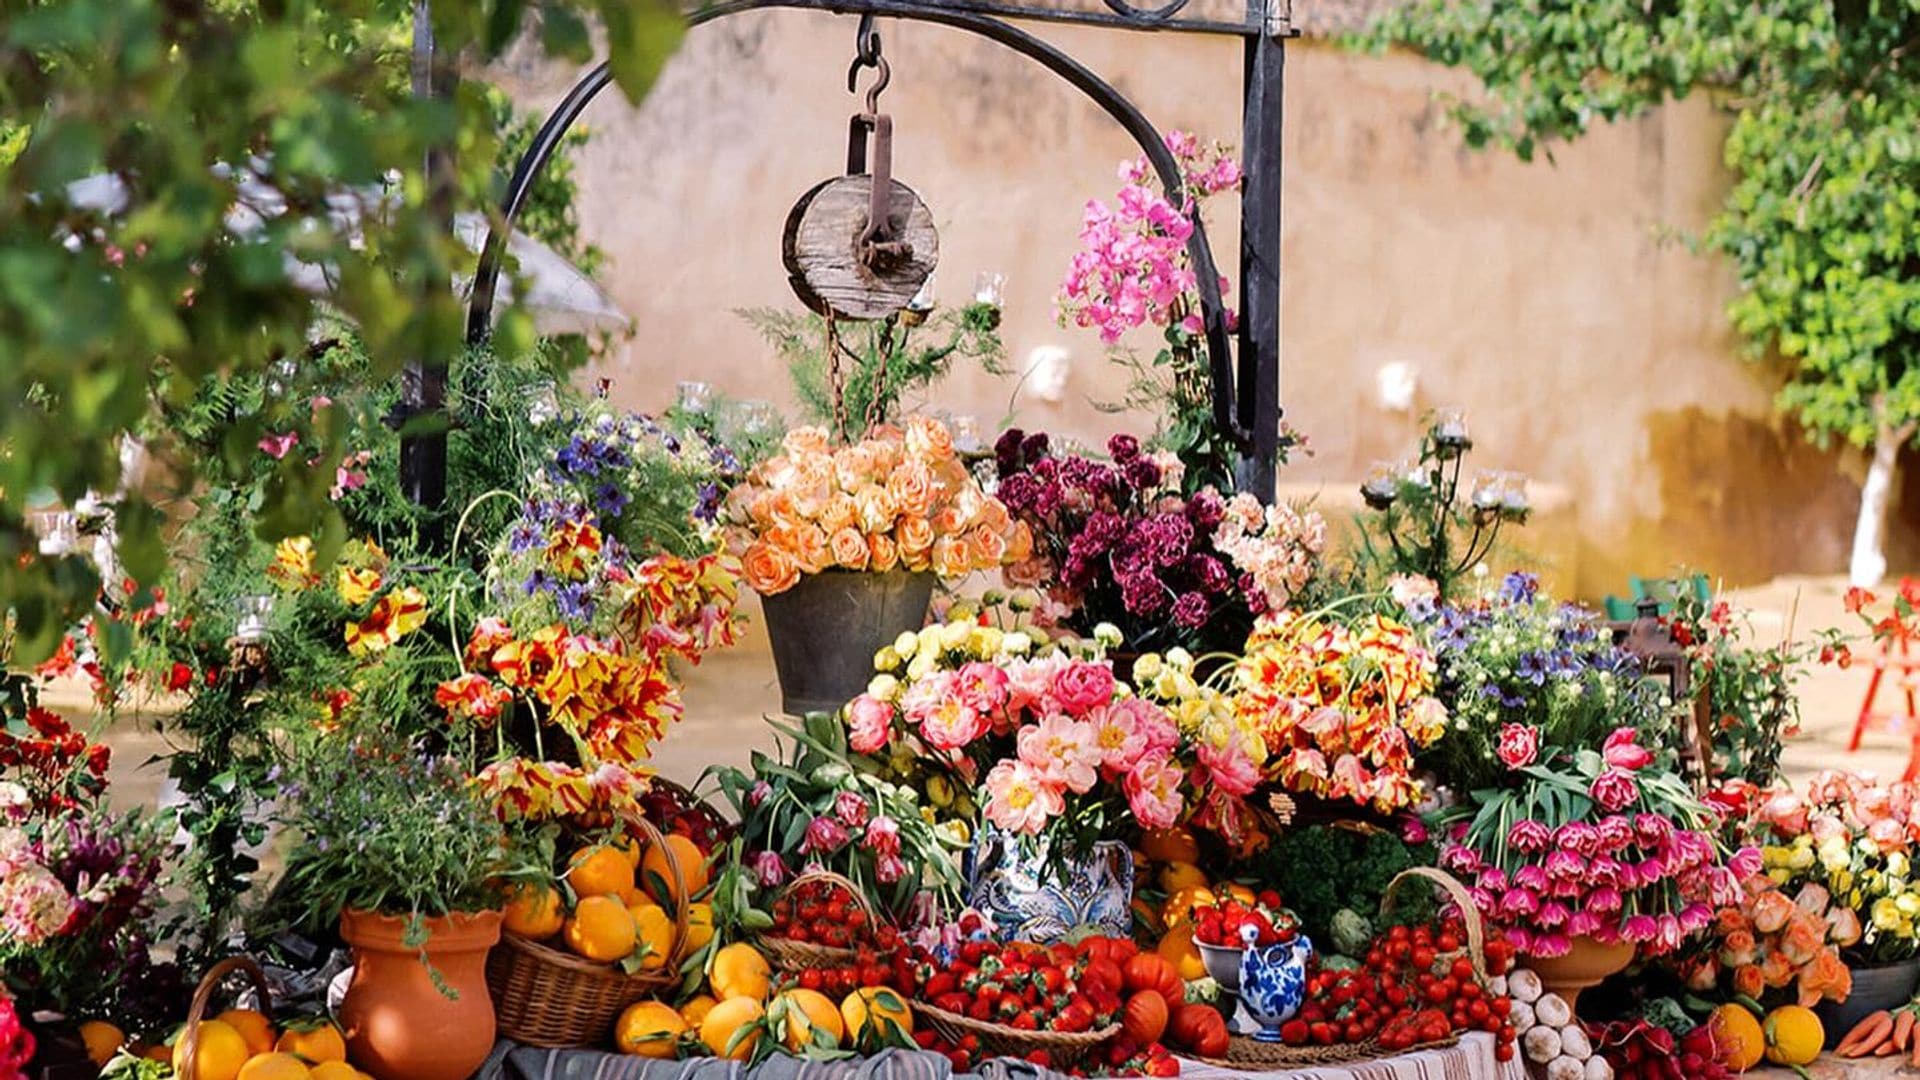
(1587,349)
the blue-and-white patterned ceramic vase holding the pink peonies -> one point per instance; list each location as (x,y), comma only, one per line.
(1034,900)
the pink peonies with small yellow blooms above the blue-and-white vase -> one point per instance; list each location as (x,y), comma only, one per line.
(1057,745)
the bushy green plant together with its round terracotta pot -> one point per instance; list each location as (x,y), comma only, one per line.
(402,850)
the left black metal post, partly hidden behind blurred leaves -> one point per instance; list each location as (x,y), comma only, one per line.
(423,456)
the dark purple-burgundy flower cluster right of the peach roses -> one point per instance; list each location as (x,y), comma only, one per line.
(1116,543)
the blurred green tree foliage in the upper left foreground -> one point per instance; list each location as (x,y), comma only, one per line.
(110,320)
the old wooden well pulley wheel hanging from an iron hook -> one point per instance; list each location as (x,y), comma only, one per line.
(859,247)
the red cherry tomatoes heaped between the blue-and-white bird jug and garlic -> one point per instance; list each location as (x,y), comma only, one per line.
(1416,987)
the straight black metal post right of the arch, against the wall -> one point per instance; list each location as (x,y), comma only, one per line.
(1260,247)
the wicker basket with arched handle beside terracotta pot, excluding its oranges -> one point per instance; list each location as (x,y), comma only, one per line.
(556,1000)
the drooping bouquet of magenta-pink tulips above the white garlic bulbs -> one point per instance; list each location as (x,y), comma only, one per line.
(1608,848)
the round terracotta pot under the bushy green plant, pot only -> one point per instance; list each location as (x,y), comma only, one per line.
(398,1023)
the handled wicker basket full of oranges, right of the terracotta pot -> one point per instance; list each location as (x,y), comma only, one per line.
(560,979)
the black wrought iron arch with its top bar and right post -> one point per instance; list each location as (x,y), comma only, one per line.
(1253,414)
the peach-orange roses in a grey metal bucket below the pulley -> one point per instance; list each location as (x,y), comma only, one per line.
(844,545)
